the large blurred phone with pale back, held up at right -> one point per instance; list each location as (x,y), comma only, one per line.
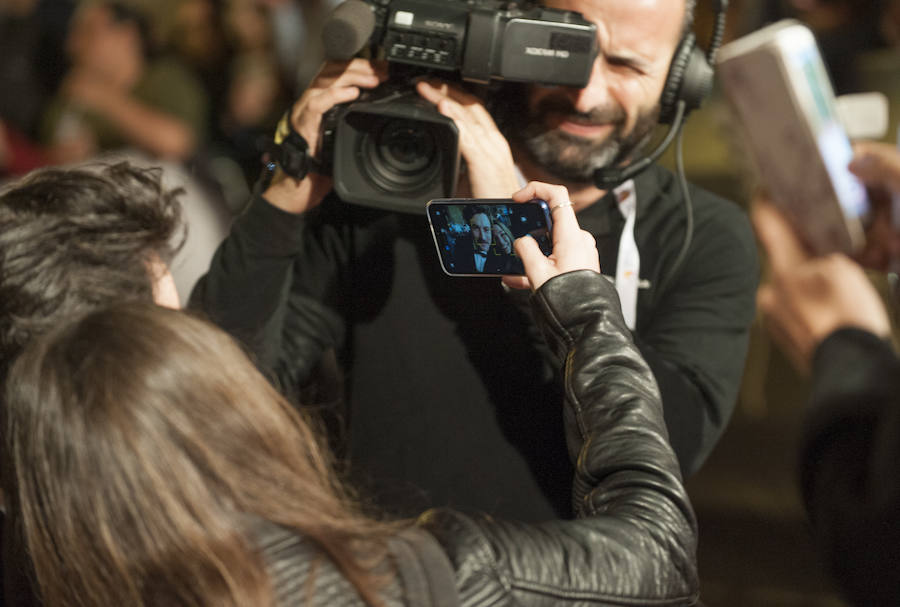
(776,81)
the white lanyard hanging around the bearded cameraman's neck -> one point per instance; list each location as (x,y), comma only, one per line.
(628,263)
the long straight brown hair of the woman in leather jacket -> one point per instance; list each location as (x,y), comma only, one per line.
(141,439)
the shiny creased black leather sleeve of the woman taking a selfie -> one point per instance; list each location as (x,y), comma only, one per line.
(635,539)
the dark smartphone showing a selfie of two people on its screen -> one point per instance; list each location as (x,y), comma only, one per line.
(474,236)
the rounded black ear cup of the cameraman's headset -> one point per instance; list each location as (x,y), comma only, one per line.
(690,79)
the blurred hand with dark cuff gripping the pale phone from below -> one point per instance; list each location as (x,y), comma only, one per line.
(809,297)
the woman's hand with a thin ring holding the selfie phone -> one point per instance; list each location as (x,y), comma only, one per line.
(573,248)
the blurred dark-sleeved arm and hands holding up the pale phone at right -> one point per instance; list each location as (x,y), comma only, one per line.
(832,323)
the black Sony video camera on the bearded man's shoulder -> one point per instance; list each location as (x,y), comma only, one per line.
(392,149)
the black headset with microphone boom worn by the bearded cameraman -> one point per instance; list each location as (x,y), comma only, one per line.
(688,83)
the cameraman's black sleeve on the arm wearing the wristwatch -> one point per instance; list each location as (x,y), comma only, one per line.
(272,287)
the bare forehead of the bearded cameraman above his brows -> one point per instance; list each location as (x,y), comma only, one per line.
(648,28)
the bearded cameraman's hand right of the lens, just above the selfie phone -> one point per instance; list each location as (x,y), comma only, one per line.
(491,170)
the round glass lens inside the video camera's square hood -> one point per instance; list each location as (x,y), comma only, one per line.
(401,155)
